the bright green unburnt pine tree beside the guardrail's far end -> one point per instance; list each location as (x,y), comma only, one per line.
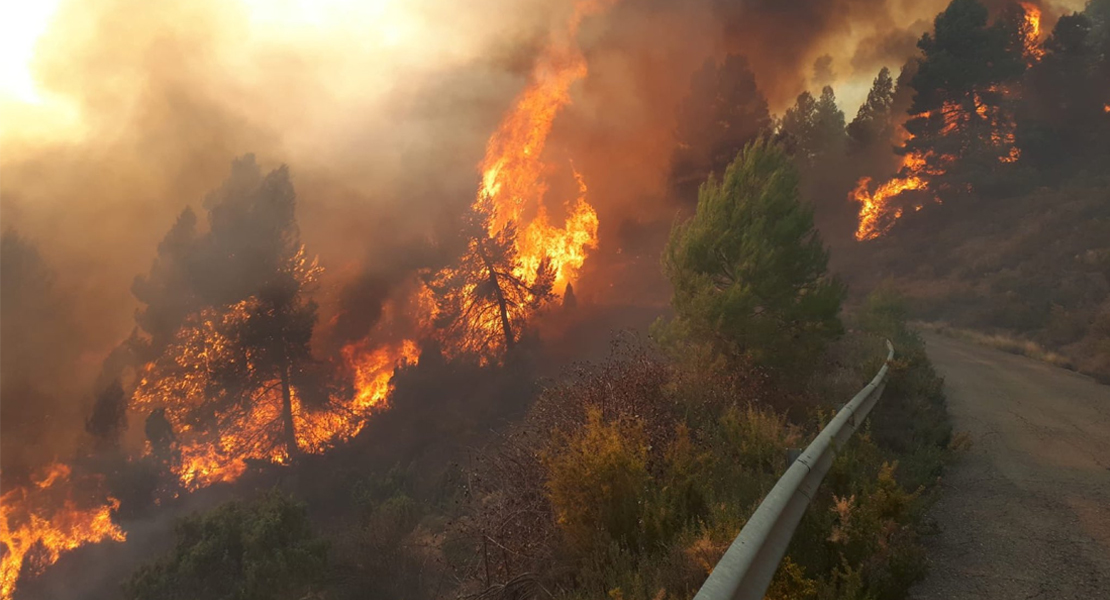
(750,271)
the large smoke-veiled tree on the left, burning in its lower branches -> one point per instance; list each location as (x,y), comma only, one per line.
(237,375)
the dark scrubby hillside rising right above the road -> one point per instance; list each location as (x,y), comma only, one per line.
(1035,267)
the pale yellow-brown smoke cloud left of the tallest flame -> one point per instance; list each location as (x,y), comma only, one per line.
(154,101)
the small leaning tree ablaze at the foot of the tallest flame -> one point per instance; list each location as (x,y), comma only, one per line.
(483,302)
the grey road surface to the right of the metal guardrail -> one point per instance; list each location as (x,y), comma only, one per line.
(1026,513)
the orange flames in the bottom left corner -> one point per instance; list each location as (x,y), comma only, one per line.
(35,534)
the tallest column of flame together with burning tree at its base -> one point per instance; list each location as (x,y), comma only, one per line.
(520,232)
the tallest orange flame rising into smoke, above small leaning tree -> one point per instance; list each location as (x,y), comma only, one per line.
(513,184)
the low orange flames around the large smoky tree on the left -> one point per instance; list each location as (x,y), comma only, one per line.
(220,453)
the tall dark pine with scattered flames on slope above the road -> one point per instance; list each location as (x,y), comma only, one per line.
(962,125)
